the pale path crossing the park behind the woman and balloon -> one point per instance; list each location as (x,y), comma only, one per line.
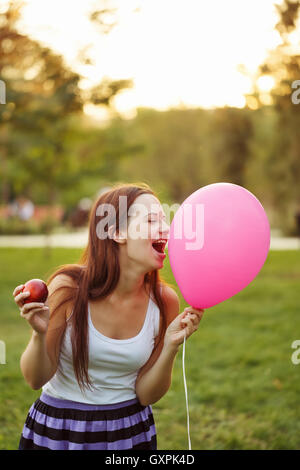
(79,240)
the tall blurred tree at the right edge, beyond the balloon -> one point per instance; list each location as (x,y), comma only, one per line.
(282,122)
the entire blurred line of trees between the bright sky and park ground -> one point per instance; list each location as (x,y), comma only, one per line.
(52,152)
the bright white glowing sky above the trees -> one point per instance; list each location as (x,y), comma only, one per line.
(177,52)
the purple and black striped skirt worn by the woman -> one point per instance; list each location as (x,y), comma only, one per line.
(55,424)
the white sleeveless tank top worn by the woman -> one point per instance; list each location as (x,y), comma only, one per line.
(113,363)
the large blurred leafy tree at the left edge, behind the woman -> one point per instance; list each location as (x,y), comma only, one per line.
(42,120)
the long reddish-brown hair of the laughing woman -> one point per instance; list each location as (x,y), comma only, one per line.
(97,273)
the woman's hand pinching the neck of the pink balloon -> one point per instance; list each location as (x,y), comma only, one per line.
(184,324)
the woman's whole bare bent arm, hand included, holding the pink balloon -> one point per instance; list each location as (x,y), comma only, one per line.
(155,378)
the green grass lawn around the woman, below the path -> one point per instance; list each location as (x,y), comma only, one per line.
(243,388)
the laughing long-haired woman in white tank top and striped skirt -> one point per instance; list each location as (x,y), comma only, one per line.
(104,343)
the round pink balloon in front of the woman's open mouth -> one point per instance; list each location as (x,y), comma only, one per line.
(219,241)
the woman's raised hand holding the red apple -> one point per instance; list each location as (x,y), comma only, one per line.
(36,313)
